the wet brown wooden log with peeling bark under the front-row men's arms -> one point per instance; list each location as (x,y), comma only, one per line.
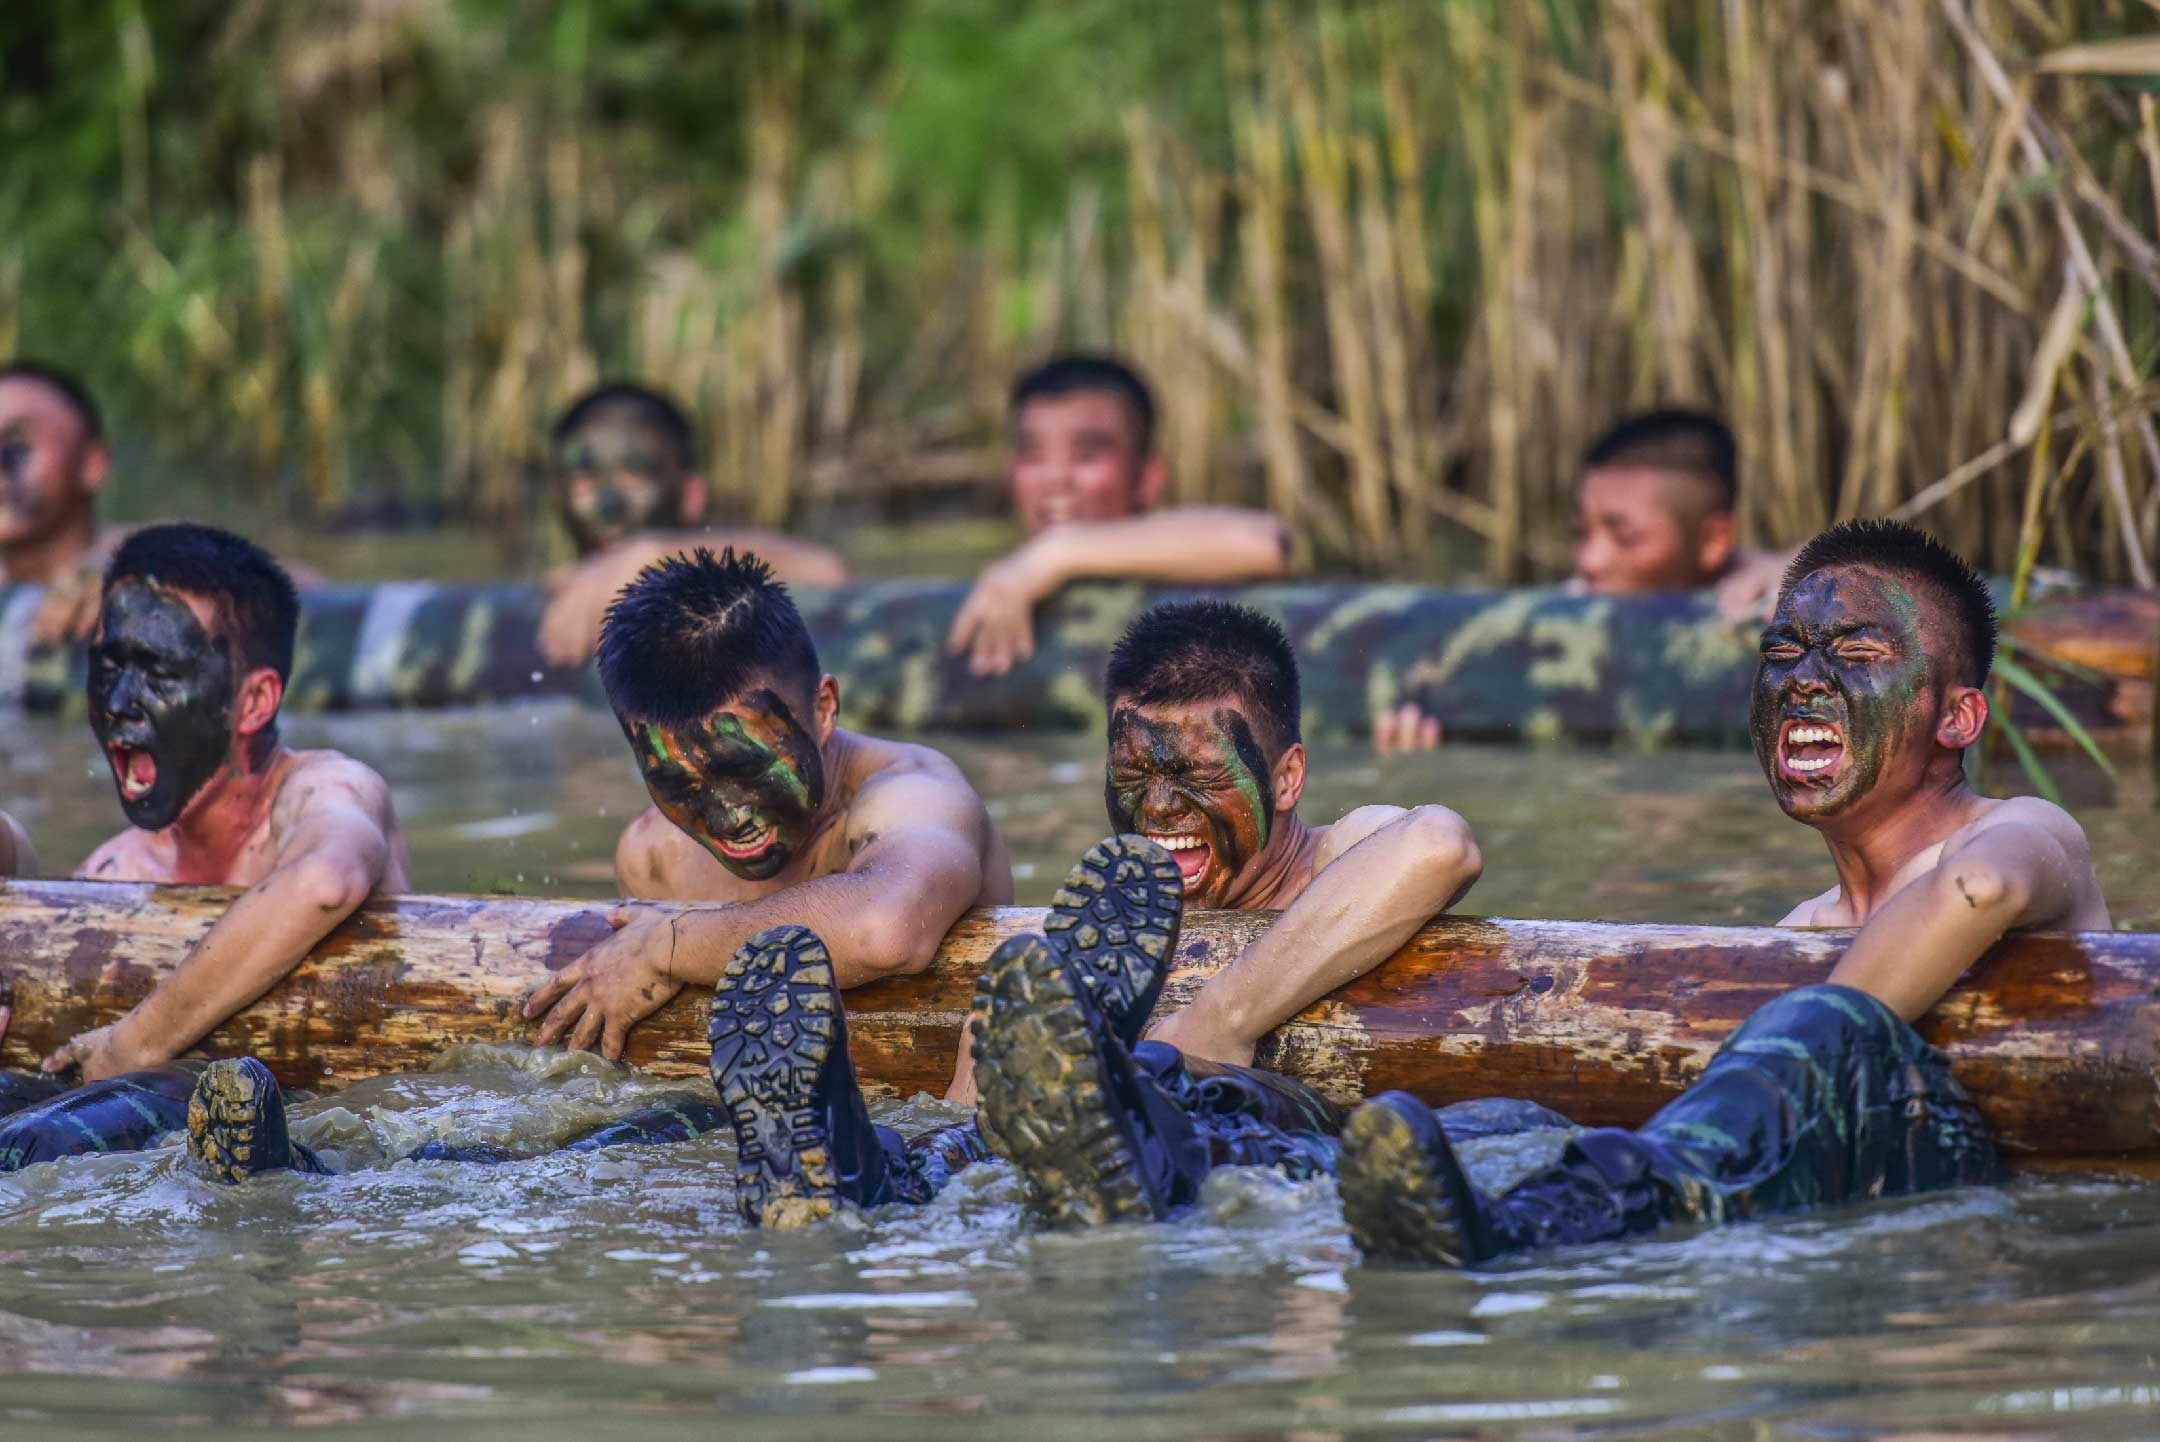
(2060,1037)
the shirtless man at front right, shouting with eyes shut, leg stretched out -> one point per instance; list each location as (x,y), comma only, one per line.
(1865,700)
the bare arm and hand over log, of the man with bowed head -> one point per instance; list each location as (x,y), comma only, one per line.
(919,841)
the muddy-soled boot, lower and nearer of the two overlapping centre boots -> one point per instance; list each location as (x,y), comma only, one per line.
(1092,1137)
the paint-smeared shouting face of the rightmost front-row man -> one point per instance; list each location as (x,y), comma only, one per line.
(1848,655)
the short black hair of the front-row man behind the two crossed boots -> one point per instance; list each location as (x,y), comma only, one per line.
(1200,651)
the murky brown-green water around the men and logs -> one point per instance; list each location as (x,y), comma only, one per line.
(617,1296)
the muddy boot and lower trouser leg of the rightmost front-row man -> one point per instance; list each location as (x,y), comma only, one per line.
(1407,1199)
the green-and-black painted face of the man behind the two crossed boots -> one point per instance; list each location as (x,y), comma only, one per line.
(1193,778)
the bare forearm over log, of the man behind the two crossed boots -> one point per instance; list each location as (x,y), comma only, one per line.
(1381,875)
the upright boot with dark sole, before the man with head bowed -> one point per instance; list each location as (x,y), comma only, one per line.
(802,1132)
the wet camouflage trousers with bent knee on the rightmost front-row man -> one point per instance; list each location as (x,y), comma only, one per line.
(1822,1098)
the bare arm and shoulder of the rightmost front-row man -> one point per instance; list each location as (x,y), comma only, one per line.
(2025,865)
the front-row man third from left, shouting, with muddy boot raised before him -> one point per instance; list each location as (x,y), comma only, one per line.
(1206,765)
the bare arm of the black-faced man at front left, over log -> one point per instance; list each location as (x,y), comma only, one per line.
(332,828)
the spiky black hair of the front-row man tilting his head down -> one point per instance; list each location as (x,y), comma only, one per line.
(694,631)
